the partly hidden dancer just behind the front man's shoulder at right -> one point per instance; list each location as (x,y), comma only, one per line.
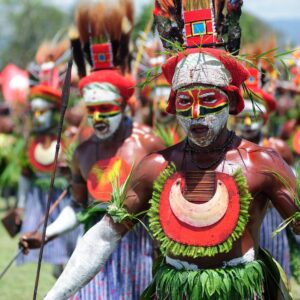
(249,125)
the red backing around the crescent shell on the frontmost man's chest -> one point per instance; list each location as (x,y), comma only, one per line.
(207,236)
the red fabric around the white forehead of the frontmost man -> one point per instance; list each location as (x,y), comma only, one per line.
(238,73)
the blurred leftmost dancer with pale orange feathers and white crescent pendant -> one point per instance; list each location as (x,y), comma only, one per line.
(46,75)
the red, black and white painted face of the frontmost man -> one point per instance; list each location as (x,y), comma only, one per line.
(203,113)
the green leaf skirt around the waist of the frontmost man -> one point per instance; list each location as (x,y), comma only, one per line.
(240,282)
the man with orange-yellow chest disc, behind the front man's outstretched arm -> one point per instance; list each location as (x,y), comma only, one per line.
(115,146)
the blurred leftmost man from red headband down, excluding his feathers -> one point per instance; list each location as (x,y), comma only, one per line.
(35,179)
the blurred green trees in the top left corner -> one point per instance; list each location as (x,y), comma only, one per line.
(26,25)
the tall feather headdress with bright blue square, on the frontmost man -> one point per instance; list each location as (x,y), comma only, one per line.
(199,23)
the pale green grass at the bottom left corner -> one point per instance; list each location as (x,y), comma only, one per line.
(18,282)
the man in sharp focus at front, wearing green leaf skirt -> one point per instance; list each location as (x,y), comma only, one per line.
(208,193)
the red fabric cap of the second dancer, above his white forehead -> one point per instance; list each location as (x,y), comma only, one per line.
(125,84)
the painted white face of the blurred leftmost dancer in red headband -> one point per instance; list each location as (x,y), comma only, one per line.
(42,114)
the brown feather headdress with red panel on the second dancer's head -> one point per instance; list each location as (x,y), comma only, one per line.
(104,28)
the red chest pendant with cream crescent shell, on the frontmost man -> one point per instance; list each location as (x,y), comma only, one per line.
(199,208)
